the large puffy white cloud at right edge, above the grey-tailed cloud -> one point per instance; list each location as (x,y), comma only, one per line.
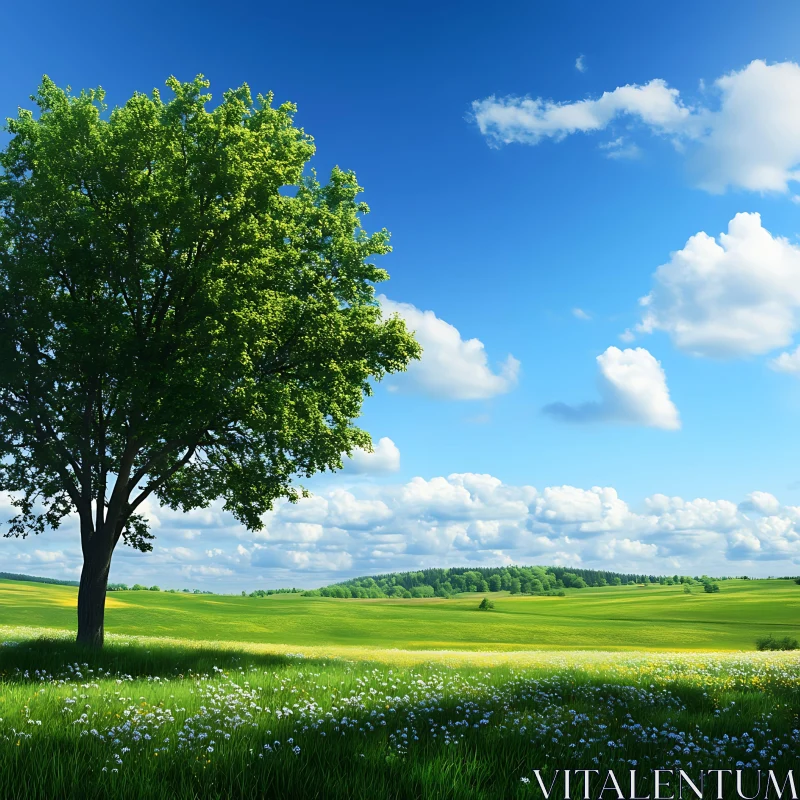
(736,297)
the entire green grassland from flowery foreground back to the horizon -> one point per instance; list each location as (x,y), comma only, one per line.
(319,698)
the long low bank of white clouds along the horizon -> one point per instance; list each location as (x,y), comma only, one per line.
(463,518)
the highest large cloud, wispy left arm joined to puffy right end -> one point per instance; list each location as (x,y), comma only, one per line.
(750,138)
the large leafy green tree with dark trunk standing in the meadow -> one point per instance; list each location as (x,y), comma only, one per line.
(183,315)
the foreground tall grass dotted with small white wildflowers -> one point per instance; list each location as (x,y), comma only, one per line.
(138,719)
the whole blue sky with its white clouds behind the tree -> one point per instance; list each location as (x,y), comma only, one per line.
(507,215)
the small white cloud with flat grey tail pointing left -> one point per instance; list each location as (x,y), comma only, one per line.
(633,390)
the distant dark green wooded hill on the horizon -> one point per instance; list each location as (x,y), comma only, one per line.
(517,580)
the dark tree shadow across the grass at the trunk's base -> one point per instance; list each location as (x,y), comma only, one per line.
(29,659)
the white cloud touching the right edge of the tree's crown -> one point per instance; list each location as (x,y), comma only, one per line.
(451,367)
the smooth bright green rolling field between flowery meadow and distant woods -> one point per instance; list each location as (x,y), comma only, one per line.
(618,617)
